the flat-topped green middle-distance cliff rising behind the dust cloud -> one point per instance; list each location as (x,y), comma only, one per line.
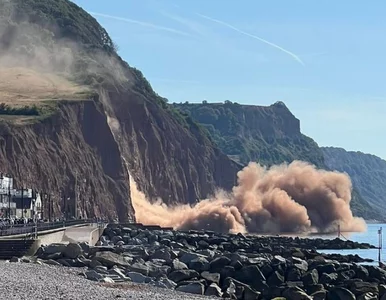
(266,134)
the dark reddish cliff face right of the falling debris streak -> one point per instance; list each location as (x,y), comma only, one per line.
(166,159)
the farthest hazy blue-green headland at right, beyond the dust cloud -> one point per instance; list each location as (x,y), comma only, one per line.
(368,173)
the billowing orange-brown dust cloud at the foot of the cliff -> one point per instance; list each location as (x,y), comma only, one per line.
(282,199)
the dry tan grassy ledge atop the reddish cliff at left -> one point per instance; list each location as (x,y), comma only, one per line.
(27,95)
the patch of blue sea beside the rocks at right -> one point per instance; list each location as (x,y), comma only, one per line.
(369,236)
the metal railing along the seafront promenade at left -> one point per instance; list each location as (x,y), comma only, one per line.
(34,228)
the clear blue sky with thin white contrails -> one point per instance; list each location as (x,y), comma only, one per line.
(325,59)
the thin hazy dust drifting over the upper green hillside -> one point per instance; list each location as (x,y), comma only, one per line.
(27,44)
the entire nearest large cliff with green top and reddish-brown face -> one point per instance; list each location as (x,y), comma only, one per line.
(126,129)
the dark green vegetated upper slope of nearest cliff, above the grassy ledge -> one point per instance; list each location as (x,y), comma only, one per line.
(61,37)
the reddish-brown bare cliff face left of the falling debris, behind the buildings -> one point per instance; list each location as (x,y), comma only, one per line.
(73,144)
